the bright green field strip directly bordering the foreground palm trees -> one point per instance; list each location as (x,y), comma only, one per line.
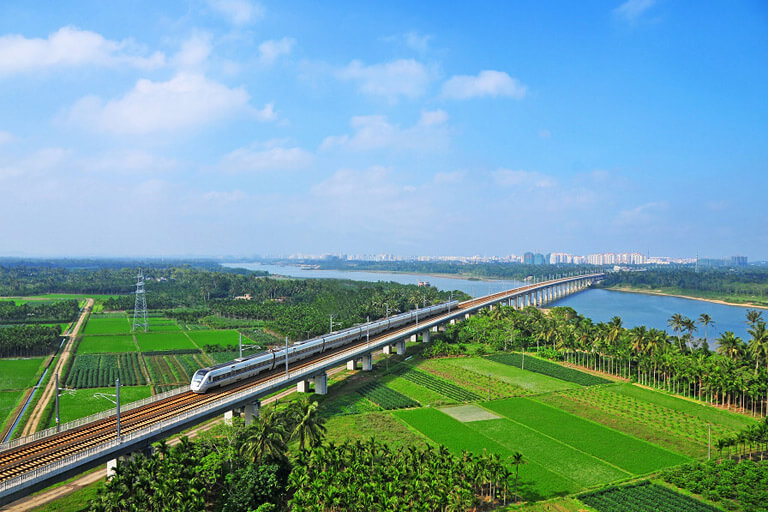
(536,480)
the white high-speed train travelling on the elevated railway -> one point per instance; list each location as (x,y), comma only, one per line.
(246,367)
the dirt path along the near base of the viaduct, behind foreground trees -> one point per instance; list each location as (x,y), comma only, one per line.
(45,497)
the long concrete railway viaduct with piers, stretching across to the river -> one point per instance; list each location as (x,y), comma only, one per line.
(35,462)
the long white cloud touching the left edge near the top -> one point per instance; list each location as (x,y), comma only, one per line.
(70,47)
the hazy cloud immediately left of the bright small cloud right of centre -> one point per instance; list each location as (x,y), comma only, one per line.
(404,77)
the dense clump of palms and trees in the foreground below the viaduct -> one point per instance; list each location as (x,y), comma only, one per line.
(280,462)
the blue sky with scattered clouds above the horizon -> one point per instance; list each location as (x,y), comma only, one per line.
(231,127)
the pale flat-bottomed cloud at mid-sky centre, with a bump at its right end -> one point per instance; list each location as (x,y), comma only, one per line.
(375,132)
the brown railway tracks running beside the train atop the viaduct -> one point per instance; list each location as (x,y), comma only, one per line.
(27,457)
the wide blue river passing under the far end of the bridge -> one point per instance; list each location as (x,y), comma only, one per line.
(599,305)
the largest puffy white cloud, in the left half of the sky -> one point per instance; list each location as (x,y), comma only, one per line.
(185,101)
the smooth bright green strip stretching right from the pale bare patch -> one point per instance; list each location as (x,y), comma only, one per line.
(621,450)
